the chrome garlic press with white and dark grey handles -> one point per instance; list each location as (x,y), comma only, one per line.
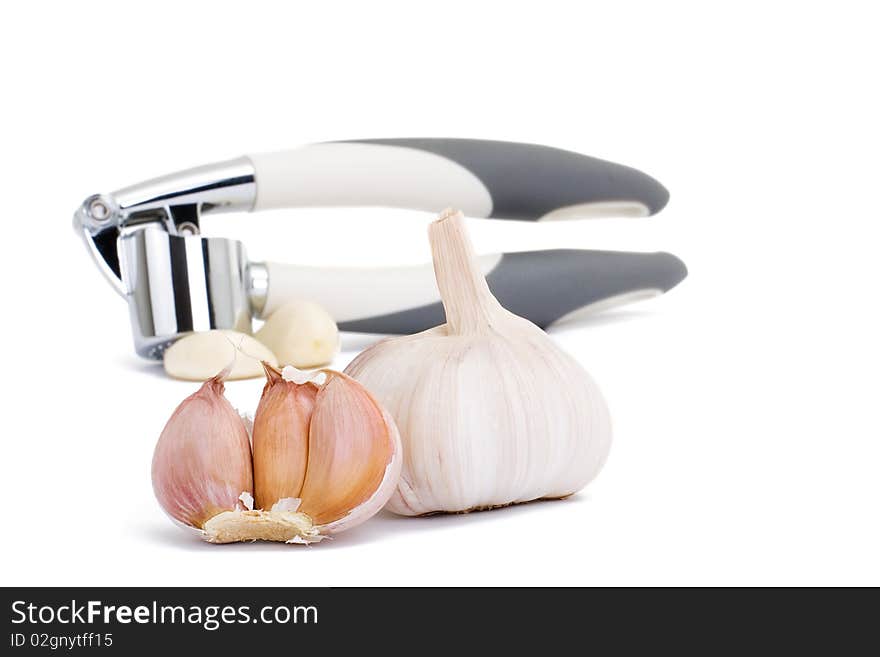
(145,238)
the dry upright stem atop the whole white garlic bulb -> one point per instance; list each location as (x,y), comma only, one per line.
(467,300)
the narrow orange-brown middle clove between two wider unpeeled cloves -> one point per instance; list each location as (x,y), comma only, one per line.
(281,438)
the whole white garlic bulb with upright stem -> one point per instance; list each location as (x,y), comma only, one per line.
(490,411)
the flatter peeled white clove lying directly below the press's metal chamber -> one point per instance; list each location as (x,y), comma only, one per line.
(199,356)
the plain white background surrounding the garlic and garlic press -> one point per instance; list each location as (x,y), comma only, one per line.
(745,402)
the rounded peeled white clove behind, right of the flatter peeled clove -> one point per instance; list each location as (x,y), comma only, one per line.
(302,334)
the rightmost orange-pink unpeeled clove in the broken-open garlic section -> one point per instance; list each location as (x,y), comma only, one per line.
(353,455)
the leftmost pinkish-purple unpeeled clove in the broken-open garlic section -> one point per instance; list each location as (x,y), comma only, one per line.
(202,461)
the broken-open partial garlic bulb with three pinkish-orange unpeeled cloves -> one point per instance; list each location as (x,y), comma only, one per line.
(325,458)
